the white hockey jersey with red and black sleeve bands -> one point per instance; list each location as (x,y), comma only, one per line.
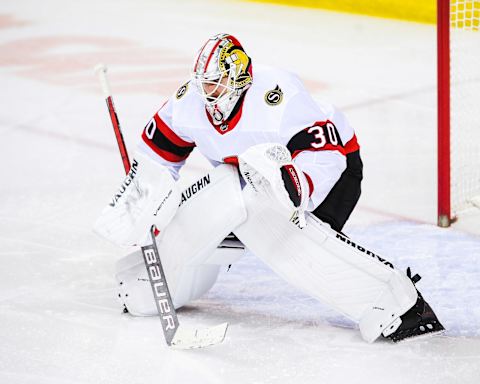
(275,109)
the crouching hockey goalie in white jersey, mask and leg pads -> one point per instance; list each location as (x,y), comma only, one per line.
(286,177)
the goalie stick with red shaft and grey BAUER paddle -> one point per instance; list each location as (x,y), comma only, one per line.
(176,335)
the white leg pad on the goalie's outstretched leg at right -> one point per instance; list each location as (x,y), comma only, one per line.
(327,265)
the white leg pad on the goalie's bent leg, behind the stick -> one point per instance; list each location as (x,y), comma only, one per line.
(210,209)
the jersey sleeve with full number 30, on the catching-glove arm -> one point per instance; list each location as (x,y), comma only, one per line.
(319,138)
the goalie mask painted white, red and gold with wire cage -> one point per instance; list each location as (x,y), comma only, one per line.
(222,73)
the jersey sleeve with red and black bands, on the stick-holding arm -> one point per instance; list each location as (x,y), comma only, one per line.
(166,144)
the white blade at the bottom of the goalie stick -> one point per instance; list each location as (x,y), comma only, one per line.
(188,338)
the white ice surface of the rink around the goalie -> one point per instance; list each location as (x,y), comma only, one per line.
(59,320)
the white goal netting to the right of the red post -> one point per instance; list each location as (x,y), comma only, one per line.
(465,103)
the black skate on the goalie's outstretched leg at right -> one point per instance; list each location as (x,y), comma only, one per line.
(418,320)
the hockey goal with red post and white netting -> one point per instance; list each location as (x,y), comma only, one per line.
(458,53)
